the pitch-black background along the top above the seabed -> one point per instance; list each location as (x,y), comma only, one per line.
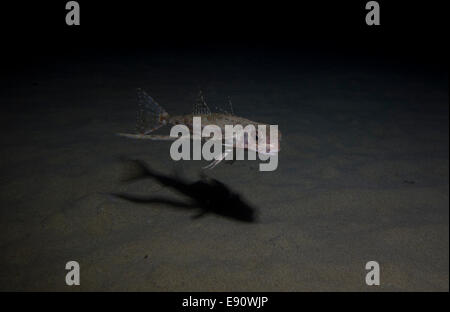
(409,31)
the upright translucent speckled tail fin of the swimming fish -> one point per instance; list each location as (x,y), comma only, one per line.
(151,115)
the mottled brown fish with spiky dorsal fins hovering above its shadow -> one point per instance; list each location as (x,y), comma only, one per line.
(152,116)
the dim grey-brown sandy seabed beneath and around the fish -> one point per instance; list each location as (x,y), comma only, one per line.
(363,175)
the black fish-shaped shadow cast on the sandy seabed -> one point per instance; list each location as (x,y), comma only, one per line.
(207,195)
